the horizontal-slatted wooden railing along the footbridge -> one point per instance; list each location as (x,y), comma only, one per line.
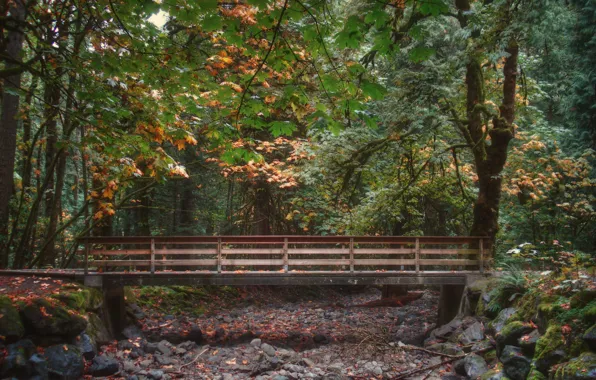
(285,254)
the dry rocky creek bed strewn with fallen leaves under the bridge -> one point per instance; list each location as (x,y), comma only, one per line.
(279,334)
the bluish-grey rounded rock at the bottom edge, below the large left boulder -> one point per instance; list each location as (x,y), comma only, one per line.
(64,361)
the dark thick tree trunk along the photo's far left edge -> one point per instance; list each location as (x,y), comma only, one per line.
(8,128)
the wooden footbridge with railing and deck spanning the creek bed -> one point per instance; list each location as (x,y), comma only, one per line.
(282,260)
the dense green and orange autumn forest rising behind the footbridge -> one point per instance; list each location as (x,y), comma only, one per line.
(257,117)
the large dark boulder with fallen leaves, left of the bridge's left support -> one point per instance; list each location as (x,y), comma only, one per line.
(46,319)
